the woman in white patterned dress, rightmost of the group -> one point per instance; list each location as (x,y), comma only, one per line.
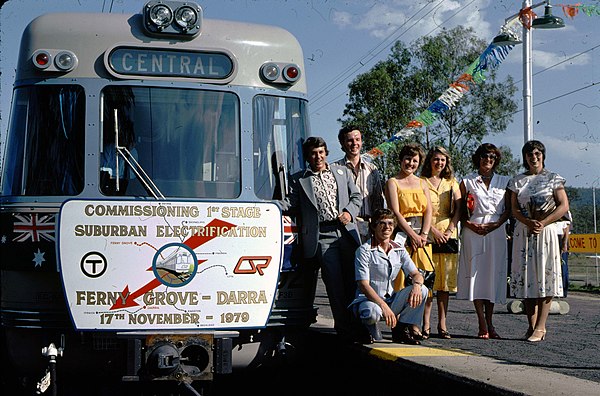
(538,201)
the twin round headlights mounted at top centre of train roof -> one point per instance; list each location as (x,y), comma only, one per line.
(172,18)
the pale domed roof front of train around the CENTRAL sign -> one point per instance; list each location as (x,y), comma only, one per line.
(90,36)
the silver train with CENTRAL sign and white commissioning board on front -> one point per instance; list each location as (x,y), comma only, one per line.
(131,138)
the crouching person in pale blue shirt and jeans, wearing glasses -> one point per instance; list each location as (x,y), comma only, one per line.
(377,264)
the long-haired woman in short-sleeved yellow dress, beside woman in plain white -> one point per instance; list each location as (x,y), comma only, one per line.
(444,193)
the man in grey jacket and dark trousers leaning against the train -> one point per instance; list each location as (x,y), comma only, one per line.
(326,201)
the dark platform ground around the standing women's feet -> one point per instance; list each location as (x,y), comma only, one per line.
(571,347)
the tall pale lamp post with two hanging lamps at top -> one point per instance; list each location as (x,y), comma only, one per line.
(508,37)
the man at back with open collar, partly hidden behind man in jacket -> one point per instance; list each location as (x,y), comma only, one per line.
(366,177)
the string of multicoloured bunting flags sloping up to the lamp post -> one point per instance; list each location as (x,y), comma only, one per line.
(490,59)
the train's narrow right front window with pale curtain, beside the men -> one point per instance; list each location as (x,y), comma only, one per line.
(280,126)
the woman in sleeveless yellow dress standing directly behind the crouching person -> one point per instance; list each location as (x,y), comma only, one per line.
(407,196)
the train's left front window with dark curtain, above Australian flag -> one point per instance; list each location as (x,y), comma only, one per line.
(45,146)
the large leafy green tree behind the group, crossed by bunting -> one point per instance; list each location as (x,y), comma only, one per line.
(383,100)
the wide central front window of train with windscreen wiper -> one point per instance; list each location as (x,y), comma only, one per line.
(185,142)
